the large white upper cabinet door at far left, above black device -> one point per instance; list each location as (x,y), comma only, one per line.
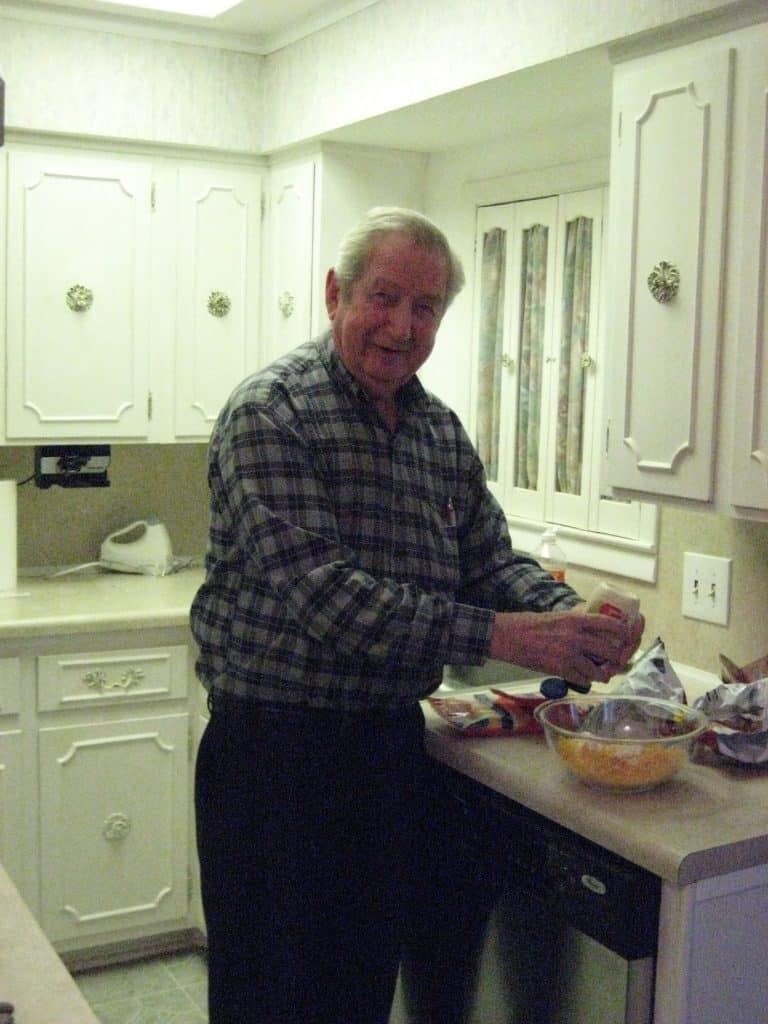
(78,297)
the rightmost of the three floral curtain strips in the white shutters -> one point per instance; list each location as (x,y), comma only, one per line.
(574,347)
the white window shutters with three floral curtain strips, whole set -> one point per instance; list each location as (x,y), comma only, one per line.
(520,353)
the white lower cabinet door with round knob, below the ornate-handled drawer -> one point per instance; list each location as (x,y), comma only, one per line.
(114,827)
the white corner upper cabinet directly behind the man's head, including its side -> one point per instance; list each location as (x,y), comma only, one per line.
(314,199)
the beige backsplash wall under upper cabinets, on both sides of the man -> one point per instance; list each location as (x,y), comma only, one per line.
(65,528)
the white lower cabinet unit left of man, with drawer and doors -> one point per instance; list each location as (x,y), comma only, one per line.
(98,735)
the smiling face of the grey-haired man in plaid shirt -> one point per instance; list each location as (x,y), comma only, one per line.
(387,328)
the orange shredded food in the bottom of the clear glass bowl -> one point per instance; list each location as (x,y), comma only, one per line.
(621,766)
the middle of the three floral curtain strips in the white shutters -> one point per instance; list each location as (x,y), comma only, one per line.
(534,296)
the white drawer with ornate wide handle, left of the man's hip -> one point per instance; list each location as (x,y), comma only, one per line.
(110,677)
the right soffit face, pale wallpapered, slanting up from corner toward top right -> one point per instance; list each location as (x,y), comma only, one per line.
(399,53)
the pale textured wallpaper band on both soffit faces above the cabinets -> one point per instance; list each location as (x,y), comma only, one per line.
(390,56)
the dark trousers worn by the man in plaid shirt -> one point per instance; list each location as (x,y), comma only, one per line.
(307,848)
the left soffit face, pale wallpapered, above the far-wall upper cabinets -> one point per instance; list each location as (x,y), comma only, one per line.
(83,82)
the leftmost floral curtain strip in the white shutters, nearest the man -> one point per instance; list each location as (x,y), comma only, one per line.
(491,349)
